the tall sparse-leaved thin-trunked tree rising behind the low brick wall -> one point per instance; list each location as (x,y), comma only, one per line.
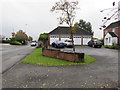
(68,12)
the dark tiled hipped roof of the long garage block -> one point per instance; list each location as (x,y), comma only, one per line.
(66,30)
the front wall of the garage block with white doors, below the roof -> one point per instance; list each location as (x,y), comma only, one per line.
(78,40)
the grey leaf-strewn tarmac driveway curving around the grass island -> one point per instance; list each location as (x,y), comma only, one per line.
(101,74)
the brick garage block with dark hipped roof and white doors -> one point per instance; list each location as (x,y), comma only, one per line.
(81,37)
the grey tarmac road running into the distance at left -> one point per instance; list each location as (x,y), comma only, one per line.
(11,54)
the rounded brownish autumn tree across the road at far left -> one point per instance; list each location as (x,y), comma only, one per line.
(21,37)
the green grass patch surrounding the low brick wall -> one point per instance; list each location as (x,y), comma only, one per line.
(36,58)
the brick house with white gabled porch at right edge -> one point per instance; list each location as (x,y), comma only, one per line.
(112,34)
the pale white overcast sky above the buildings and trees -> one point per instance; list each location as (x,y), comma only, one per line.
(34,16)
